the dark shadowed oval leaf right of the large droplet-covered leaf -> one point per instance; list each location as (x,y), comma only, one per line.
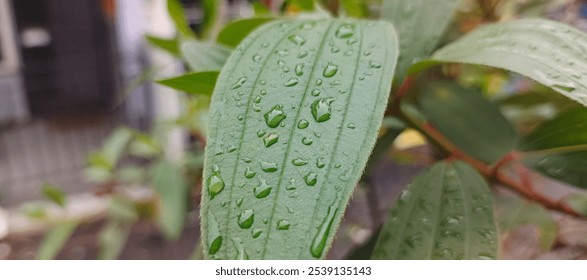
(468,120)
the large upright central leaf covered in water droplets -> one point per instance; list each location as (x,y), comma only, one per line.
(292,123)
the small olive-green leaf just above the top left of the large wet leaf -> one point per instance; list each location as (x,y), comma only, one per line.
(233,33)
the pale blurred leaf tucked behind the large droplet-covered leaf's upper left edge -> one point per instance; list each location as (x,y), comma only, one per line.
(204,56)
